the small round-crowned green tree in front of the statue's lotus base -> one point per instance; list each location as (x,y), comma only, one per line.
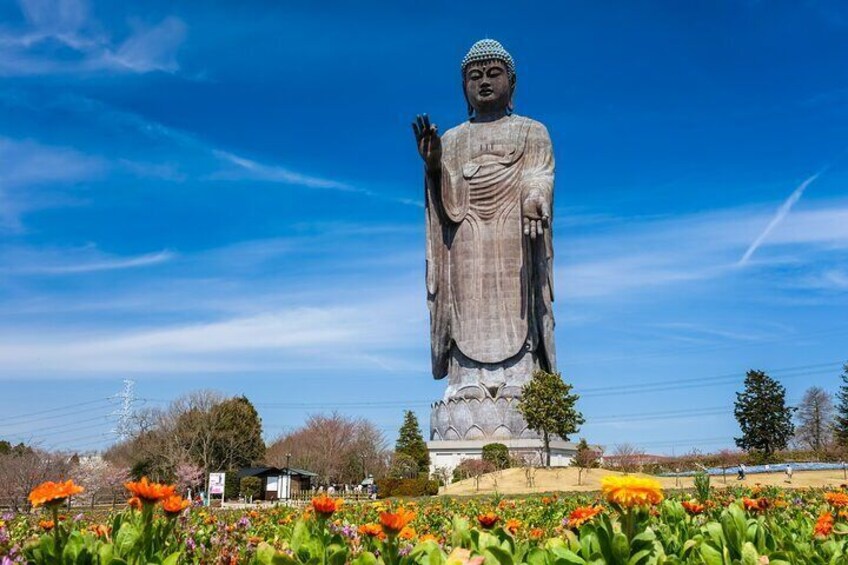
(548,408)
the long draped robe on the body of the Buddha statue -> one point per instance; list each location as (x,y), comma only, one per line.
(489,286)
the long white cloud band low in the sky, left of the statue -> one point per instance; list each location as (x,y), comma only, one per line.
(362,336)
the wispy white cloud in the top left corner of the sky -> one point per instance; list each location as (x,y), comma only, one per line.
(62,37)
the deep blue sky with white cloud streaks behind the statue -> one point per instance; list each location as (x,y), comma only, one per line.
(228,196)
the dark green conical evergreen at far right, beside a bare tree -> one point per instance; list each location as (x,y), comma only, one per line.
(764,418)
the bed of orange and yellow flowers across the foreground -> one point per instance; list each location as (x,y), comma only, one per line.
(630,521)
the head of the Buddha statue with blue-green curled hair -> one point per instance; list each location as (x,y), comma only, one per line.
(488,78)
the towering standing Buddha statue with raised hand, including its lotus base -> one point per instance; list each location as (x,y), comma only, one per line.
(489,196)
